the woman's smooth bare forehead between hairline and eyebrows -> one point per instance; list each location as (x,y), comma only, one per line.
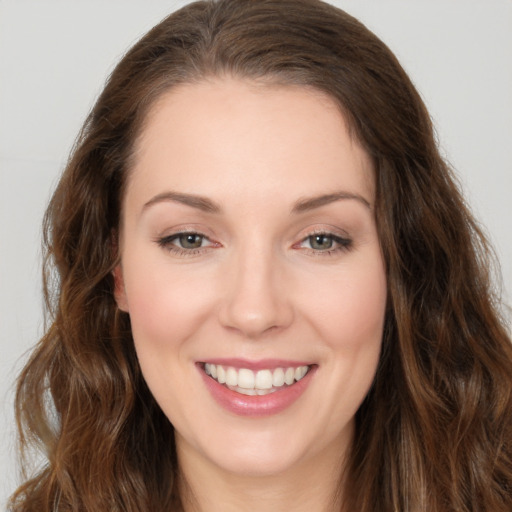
(229,134)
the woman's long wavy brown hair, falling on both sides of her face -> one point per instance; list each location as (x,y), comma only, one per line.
(435,431)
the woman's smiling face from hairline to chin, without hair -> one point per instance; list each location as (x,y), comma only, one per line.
(252,273)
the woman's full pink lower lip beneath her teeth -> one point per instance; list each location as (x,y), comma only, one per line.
(264,405)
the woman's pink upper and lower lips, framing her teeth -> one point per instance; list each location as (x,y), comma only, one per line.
(256,406)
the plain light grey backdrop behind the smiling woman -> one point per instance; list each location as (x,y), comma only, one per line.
(56,54)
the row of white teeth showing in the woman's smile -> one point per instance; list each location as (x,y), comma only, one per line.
(262,382)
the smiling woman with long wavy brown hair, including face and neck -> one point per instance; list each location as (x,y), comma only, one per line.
(270,293)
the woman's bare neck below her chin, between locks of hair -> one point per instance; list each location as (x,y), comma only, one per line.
(314,485)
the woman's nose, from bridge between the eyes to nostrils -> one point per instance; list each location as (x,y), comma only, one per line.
(255,298)
